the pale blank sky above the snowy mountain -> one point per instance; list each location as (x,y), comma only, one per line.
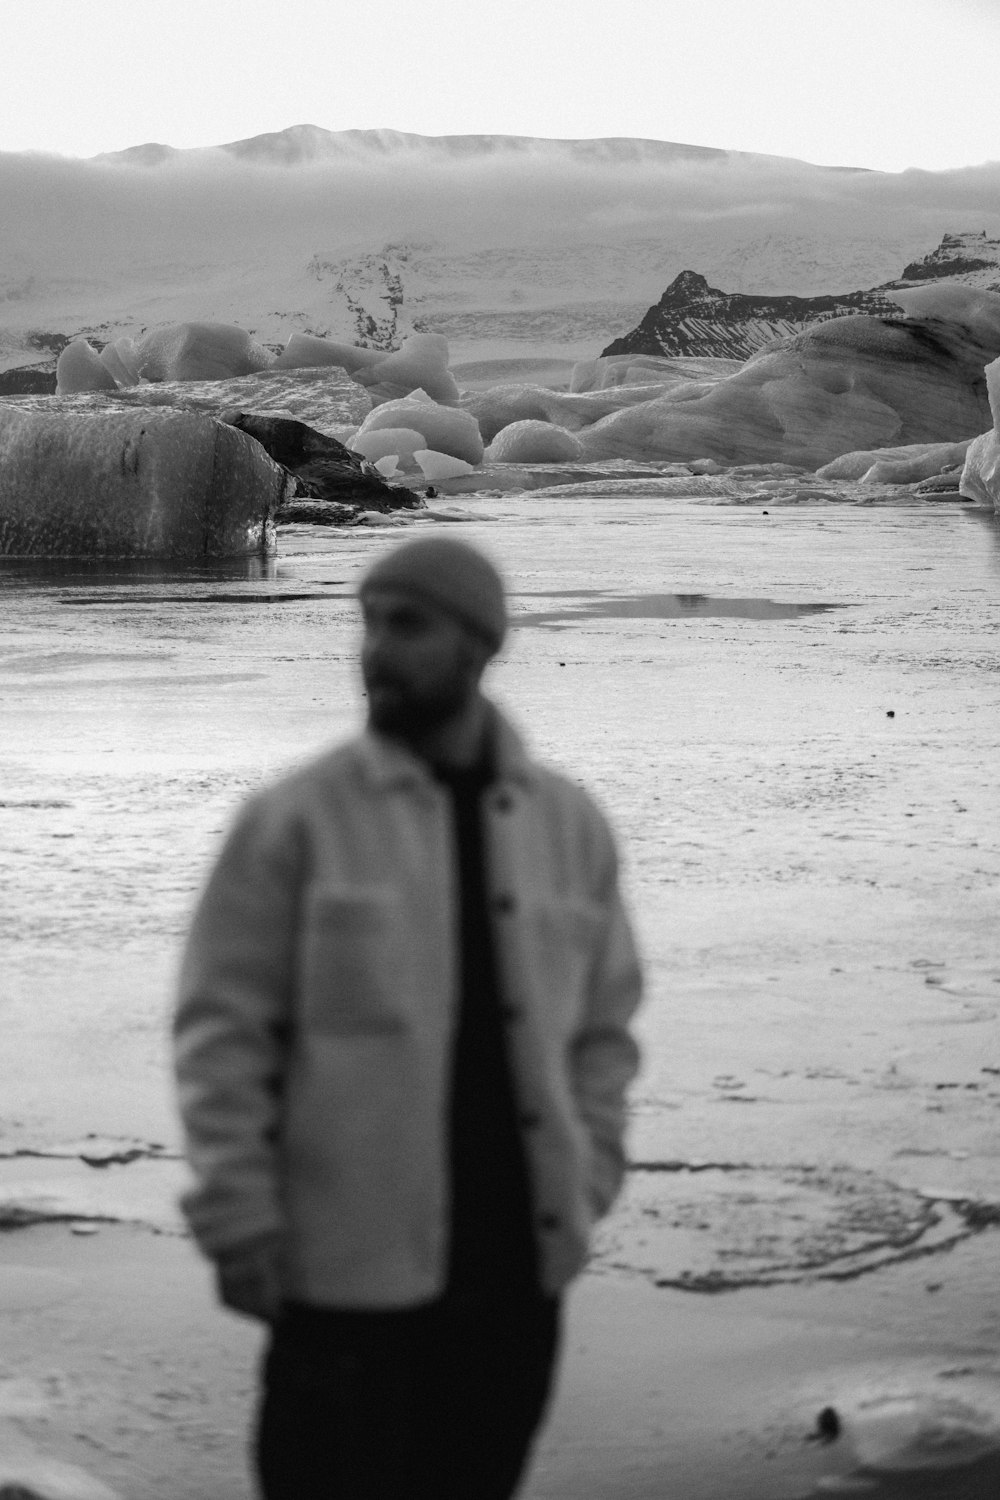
(887,85)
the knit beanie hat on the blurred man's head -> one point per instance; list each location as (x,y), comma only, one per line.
(449,574)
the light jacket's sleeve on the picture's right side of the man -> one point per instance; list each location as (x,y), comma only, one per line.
(605,1057)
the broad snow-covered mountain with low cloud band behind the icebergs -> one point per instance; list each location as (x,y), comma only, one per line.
(510,247)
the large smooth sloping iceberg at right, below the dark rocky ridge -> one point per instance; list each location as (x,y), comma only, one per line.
(846,385)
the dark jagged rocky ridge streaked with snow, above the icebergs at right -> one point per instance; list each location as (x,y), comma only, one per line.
(696,319)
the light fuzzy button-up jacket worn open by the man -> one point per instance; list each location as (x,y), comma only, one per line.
(319,1003)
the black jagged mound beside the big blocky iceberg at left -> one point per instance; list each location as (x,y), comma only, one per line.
(331,482)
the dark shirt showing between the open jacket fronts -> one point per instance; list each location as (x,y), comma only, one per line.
(494,1256)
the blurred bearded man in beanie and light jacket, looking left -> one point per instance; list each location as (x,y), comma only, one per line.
(403,1052)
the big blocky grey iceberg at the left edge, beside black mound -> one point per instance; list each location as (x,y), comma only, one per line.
(139,484)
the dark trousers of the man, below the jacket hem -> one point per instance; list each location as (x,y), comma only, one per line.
(419,1405)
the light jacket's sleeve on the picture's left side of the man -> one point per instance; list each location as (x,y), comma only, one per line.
(232,1028)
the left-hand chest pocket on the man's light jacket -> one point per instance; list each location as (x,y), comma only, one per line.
(353,962)
